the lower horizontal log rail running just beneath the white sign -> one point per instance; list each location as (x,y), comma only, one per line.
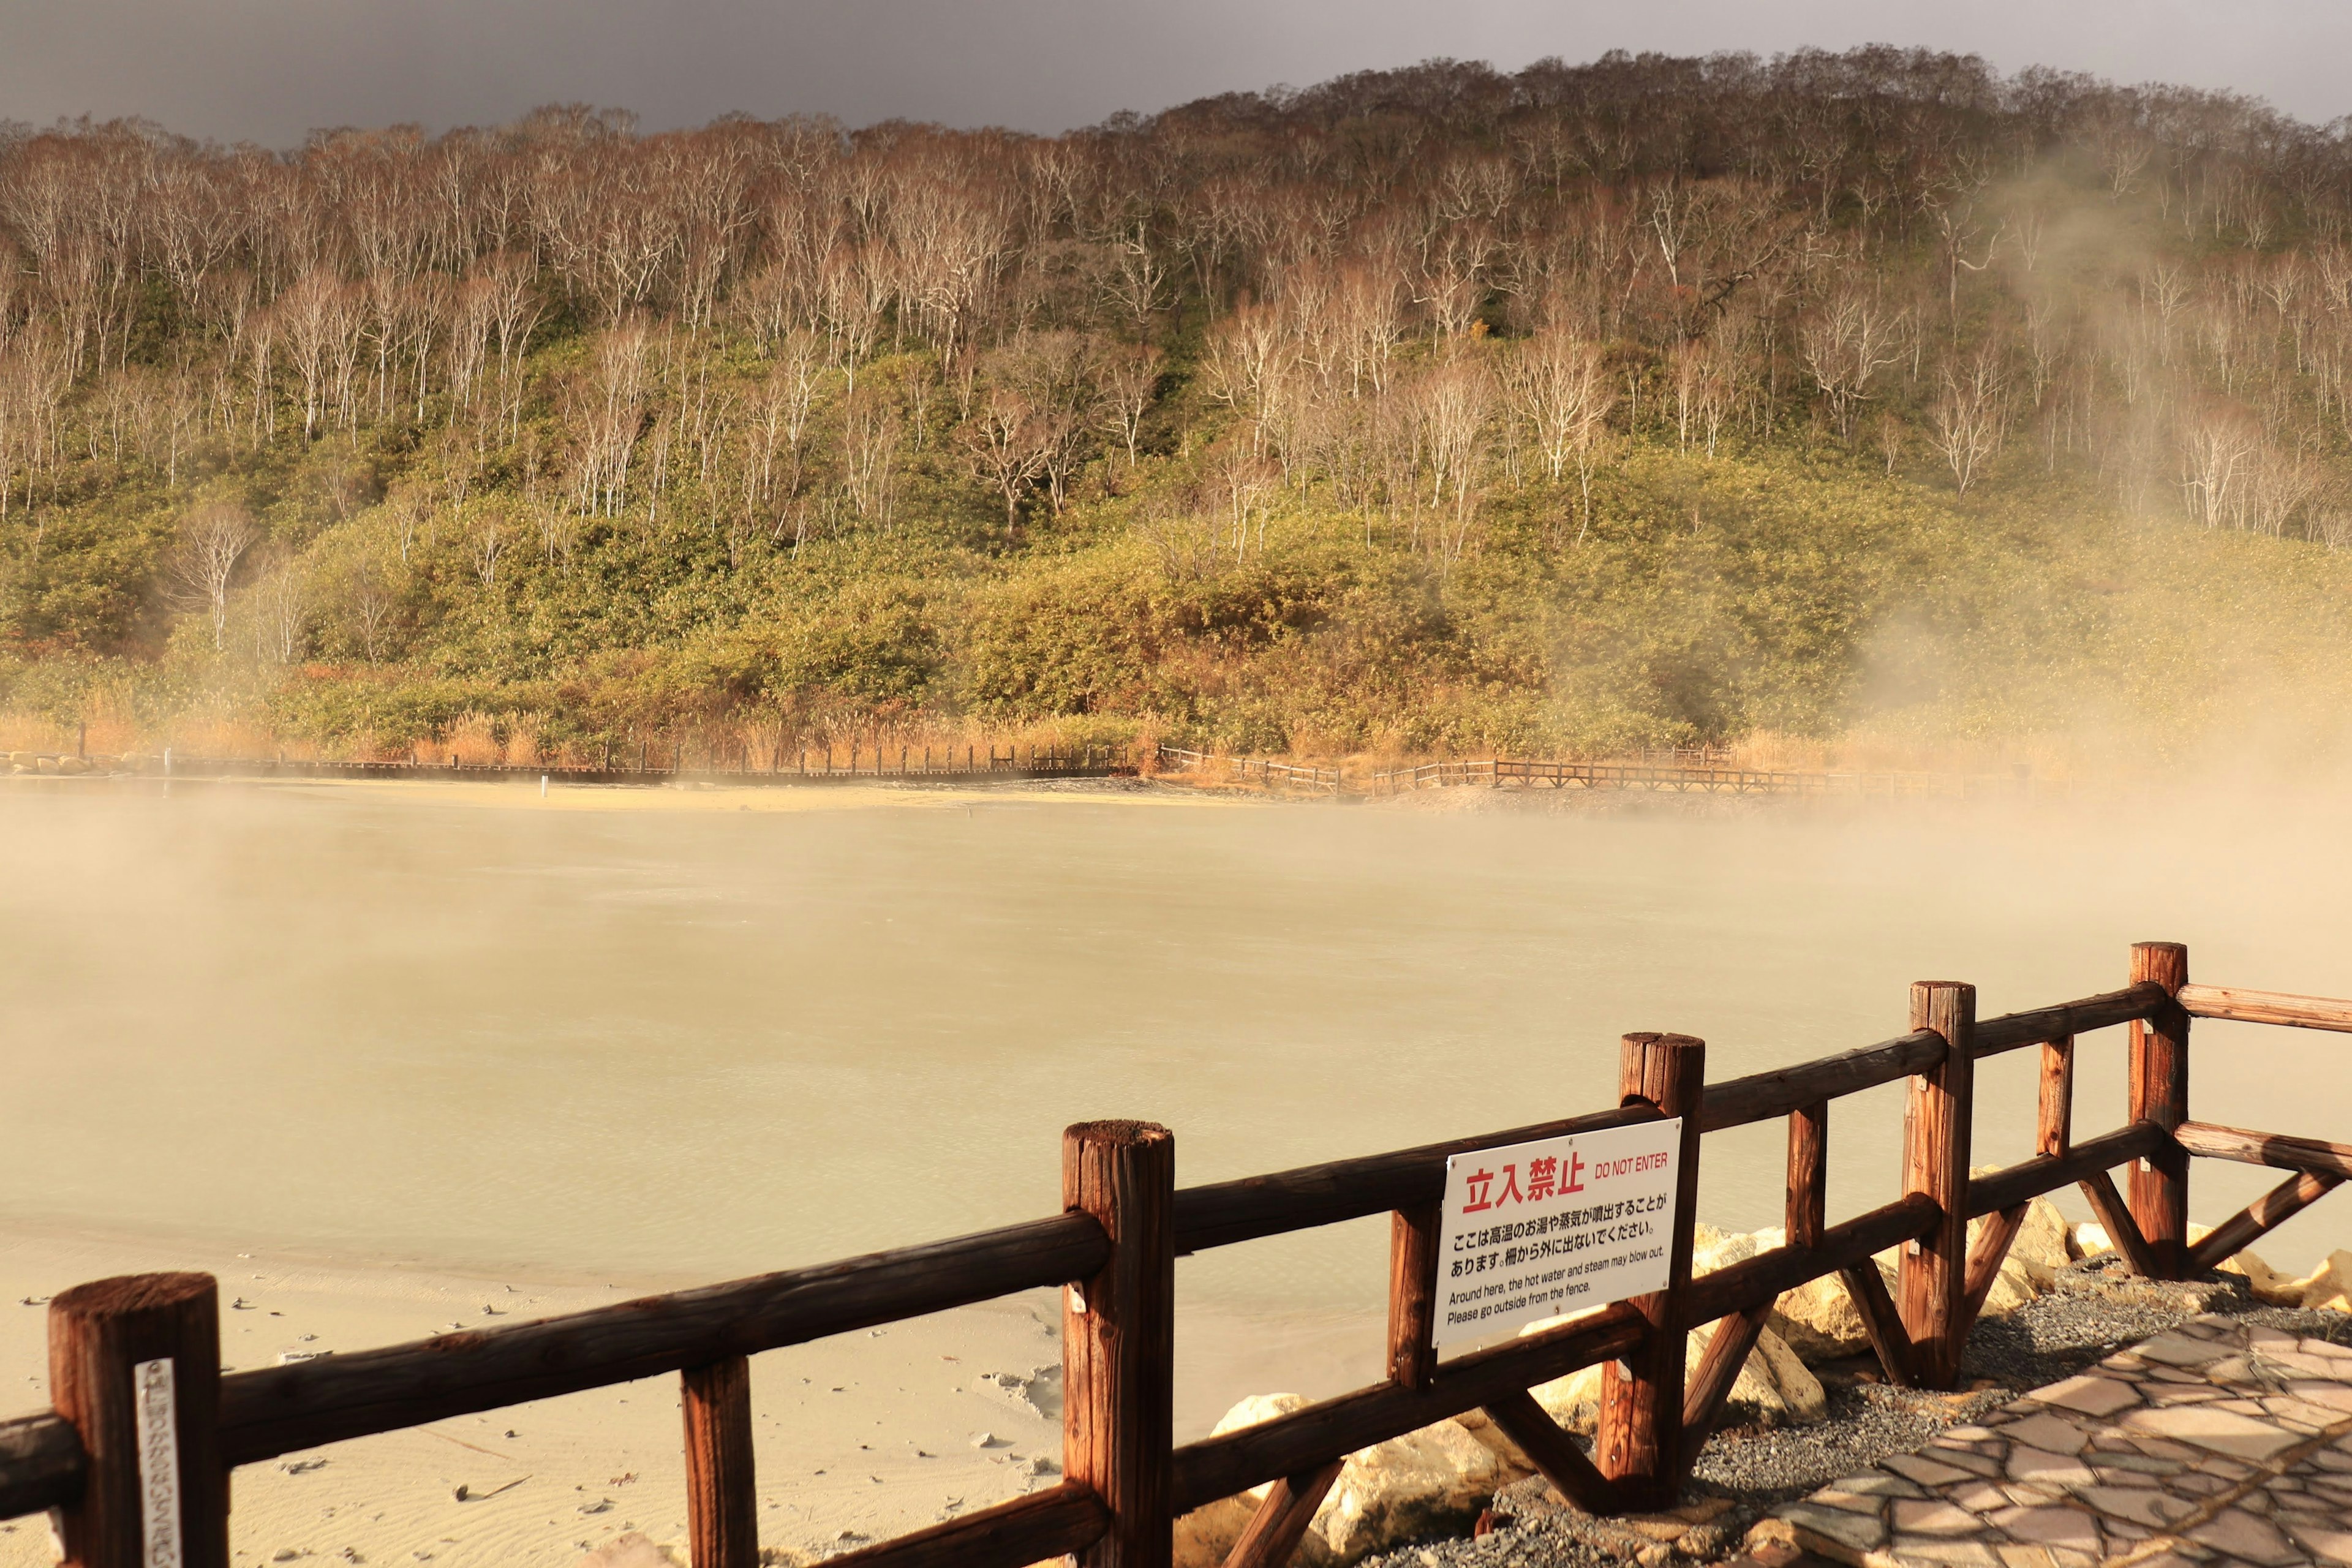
(1299,1442)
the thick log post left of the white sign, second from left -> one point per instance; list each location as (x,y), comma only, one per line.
(1118,1332)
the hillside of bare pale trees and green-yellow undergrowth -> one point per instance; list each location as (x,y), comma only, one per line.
(1591,408)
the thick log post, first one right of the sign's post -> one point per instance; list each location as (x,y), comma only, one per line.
(1937,1127)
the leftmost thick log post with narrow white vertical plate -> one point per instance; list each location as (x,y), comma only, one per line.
(135,1365)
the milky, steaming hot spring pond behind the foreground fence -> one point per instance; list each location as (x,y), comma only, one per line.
(389,1024)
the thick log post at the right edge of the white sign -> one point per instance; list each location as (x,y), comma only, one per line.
(1641,1435)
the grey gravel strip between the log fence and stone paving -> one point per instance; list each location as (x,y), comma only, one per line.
(1744,1475)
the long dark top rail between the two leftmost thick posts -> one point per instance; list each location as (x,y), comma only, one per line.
(281,1409)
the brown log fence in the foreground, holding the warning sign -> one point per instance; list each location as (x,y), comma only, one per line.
(147,1430)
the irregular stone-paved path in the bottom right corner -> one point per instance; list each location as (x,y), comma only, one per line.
(2214,1445)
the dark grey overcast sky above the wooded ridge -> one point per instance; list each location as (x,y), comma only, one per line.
(276,69)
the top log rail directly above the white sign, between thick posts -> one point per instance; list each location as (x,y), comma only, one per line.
(1222,1214)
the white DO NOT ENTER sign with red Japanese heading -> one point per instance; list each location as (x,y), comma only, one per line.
(1556,1226)
